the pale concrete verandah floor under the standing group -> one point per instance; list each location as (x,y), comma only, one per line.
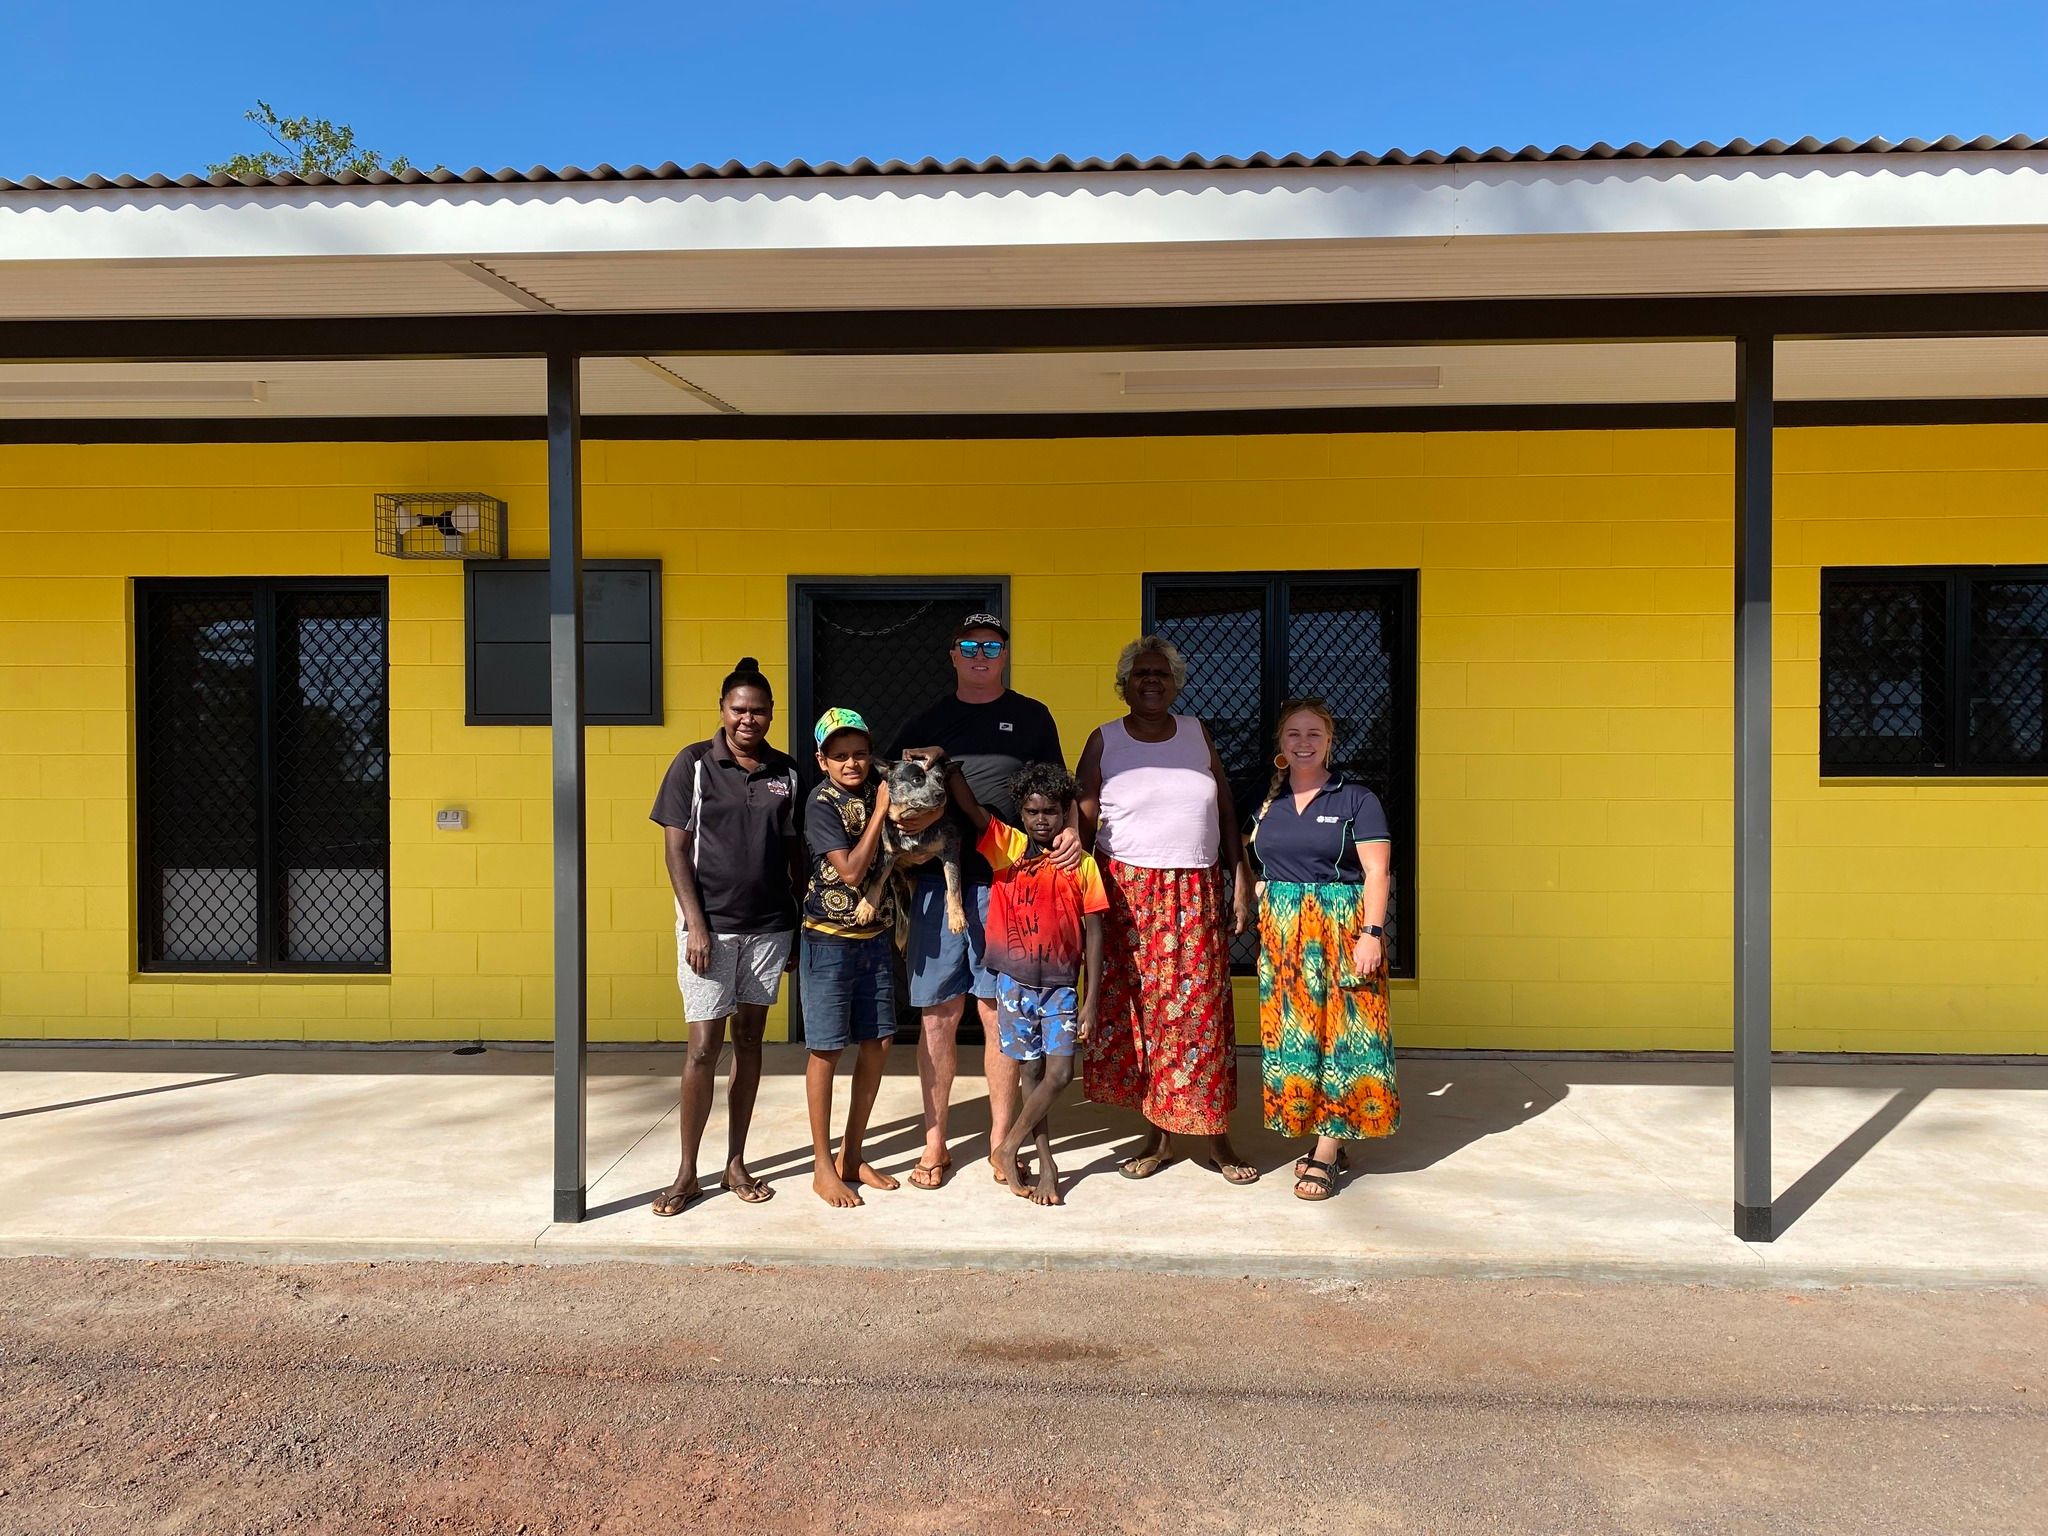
(1910,1175)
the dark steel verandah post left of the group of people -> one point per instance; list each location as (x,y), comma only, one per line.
(566,732)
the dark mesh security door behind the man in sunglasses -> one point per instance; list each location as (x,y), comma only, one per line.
(880,648)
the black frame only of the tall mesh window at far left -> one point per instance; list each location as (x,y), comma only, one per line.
(148,896)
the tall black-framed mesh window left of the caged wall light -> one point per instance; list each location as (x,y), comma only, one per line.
(263,775)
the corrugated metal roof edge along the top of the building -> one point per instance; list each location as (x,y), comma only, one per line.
(1058,165)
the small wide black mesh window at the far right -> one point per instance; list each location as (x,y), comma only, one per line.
(1934,671)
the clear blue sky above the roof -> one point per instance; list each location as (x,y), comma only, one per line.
(128,87)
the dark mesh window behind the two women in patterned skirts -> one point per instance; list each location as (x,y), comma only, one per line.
(1256,640)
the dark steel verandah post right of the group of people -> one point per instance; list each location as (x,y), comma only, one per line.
(1754,419)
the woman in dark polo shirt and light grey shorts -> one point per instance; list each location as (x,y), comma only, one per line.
(736,863)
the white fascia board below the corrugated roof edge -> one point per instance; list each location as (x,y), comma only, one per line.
(1752,196)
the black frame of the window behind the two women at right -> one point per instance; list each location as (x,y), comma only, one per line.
(1275,689)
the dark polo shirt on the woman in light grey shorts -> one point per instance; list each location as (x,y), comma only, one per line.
(740,828)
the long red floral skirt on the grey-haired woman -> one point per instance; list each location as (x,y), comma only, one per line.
(1166,1031)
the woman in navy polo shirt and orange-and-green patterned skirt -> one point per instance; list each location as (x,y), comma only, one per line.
(1324,849)
